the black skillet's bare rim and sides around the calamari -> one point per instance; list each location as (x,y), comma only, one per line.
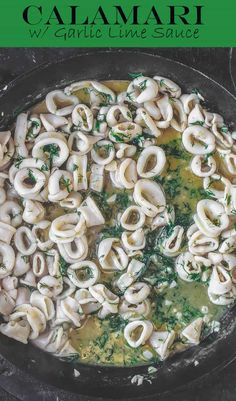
(115,382)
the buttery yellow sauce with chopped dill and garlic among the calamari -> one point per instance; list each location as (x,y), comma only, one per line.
(175,304)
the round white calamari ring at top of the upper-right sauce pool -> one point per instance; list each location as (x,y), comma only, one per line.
(198,140)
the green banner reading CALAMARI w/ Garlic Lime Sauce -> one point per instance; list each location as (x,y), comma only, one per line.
(117,23)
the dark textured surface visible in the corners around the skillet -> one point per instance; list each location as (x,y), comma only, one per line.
(219,64)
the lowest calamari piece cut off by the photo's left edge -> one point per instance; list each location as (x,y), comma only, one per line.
(18,330)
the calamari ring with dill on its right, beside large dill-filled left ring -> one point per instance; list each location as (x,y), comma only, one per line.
(60,184)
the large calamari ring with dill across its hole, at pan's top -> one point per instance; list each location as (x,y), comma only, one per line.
(142,89)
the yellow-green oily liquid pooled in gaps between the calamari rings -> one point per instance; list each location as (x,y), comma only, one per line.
(102,341)
